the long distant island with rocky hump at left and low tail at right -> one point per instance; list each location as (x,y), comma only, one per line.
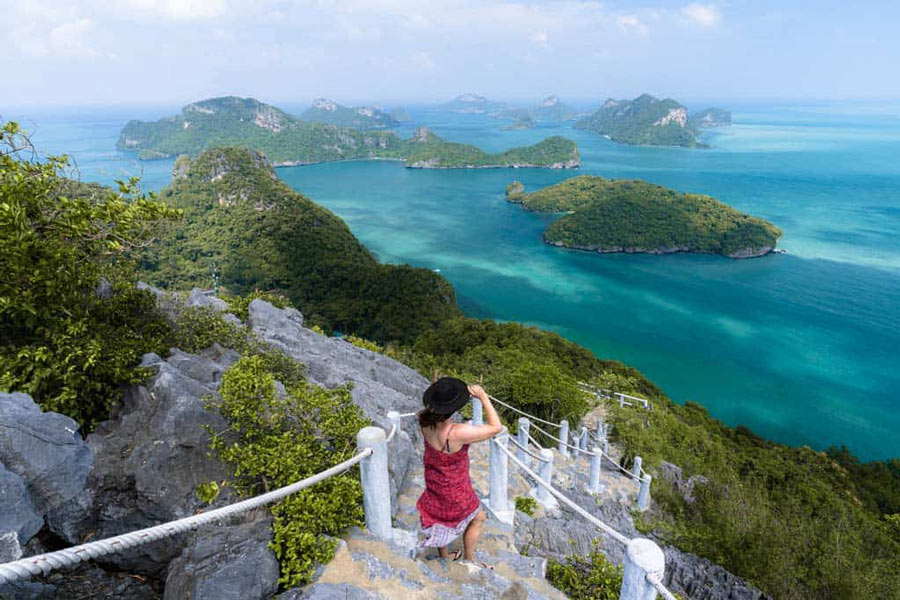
(287,140)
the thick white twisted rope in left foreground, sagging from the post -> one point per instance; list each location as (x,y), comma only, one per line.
(44,563)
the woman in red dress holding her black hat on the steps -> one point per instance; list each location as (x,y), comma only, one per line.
(449,507)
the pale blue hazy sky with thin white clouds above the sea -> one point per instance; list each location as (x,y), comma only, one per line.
(172,52)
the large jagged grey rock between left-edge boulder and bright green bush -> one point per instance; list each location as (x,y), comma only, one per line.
(150,460)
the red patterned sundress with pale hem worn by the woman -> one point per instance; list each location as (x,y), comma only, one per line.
(449,503)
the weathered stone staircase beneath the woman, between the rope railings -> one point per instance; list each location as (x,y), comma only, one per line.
(367,568)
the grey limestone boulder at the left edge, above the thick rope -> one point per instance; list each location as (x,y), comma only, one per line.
(44,449)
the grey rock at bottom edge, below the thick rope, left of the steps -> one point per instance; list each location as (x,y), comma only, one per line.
(230,562)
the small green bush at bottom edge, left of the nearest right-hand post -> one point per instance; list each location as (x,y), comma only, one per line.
(586,578)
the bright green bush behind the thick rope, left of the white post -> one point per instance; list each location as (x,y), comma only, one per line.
(274,440)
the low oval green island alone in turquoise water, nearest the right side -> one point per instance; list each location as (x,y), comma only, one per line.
(634,216)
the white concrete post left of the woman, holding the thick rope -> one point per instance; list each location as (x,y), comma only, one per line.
(376,486)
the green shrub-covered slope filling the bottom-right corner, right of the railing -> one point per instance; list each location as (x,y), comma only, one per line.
(788,519)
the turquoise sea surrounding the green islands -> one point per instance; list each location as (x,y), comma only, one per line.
(803,348)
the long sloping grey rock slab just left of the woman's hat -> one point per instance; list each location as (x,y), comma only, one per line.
(379,383)
